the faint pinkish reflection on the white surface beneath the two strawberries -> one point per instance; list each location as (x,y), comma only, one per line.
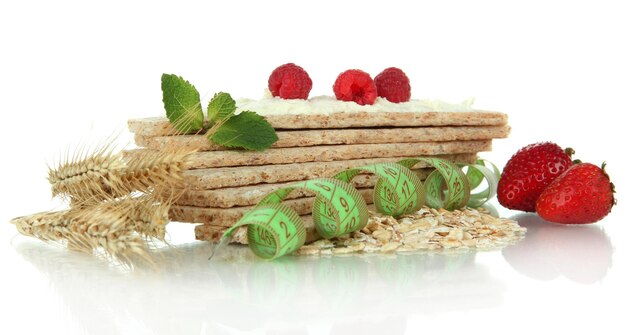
(580,253)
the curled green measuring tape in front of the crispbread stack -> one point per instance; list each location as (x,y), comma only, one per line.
(274,230)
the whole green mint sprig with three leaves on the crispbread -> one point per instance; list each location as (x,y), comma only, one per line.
(247,130)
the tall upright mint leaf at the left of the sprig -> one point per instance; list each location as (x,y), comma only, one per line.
(182,103)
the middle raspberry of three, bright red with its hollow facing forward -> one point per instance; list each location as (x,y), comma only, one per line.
(355,85)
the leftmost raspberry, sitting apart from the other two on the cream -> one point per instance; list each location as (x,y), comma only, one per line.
(289,81)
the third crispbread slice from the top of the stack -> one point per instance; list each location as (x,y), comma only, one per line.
(325,153)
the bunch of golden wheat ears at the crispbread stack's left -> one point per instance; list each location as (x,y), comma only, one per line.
(117,202)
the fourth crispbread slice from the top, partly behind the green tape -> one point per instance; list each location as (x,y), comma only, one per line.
(215,178)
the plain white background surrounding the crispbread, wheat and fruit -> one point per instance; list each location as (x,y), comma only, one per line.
(73,72)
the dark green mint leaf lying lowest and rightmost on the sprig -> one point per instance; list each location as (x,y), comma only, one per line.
(247,130)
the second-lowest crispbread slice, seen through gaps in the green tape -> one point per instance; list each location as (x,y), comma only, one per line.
(228,216)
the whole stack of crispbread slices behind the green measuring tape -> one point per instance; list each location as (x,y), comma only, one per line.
(223,184)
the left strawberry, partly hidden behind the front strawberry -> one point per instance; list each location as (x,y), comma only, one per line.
(529,172)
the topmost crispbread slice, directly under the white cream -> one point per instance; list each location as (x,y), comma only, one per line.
(160,126)
